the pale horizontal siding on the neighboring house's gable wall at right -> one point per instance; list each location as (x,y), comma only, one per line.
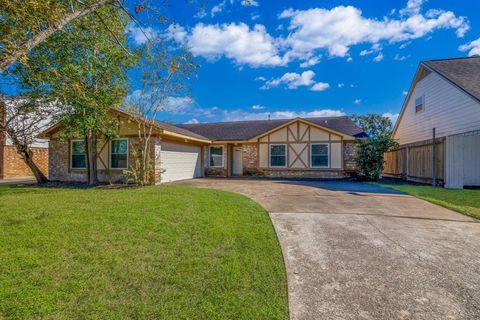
(447,108)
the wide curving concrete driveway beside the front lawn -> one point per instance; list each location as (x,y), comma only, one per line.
(357,251)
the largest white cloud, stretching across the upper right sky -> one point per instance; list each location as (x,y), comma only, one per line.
(339,28)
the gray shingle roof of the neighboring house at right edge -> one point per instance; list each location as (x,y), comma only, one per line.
(463,72)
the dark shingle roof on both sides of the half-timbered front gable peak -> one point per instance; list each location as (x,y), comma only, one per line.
(245,130)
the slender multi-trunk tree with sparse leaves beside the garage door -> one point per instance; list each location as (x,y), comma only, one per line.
(165,72)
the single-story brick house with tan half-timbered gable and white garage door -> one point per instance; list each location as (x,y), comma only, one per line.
(300,147)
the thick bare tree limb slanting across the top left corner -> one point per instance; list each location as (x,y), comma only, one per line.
(25,47)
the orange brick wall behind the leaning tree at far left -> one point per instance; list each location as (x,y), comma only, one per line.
(13,165)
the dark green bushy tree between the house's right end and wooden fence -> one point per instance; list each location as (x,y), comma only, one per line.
(370,158)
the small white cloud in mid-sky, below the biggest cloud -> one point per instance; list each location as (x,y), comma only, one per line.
(293,80)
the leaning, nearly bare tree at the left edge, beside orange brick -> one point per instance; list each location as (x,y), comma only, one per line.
(22,121)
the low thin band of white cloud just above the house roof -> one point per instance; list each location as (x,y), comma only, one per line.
(235,115)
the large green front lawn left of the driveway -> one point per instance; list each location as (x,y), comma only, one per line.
(167,252)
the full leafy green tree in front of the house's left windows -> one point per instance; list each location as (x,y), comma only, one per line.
(84,68)
